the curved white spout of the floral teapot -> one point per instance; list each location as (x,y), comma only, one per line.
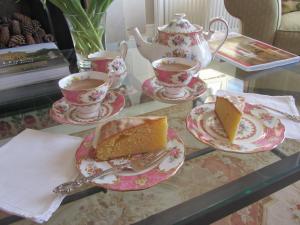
(144,47)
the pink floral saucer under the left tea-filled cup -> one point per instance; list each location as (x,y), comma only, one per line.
(63,113)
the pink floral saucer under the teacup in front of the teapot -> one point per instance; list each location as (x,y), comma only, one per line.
(194,89)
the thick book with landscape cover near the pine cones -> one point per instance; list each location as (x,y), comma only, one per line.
(31,64)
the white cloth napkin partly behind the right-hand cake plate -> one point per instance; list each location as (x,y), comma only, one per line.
(282,103)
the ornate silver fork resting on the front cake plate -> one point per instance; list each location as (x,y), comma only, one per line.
(136,165)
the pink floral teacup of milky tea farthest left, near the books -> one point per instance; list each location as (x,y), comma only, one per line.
(85,91)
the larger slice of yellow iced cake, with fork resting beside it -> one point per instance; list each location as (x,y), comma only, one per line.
(130,136)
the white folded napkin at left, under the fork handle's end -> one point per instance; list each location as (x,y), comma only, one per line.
(31,165)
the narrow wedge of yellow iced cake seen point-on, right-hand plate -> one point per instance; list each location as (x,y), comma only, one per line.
(229,110)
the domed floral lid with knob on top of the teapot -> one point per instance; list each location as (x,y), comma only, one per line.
(179,25)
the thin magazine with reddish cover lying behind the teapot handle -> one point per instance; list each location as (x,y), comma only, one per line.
(250,55)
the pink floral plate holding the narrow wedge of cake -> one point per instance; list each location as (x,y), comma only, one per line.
(258,130)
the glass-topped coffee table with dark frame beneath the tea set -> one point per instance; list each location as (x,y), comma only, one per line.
(211,183)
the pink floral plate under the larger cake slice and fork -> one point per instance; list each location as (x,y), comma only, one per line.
(130,181)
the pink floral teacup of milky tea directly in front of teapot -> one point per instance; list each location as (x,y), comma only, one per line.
(175,74)
